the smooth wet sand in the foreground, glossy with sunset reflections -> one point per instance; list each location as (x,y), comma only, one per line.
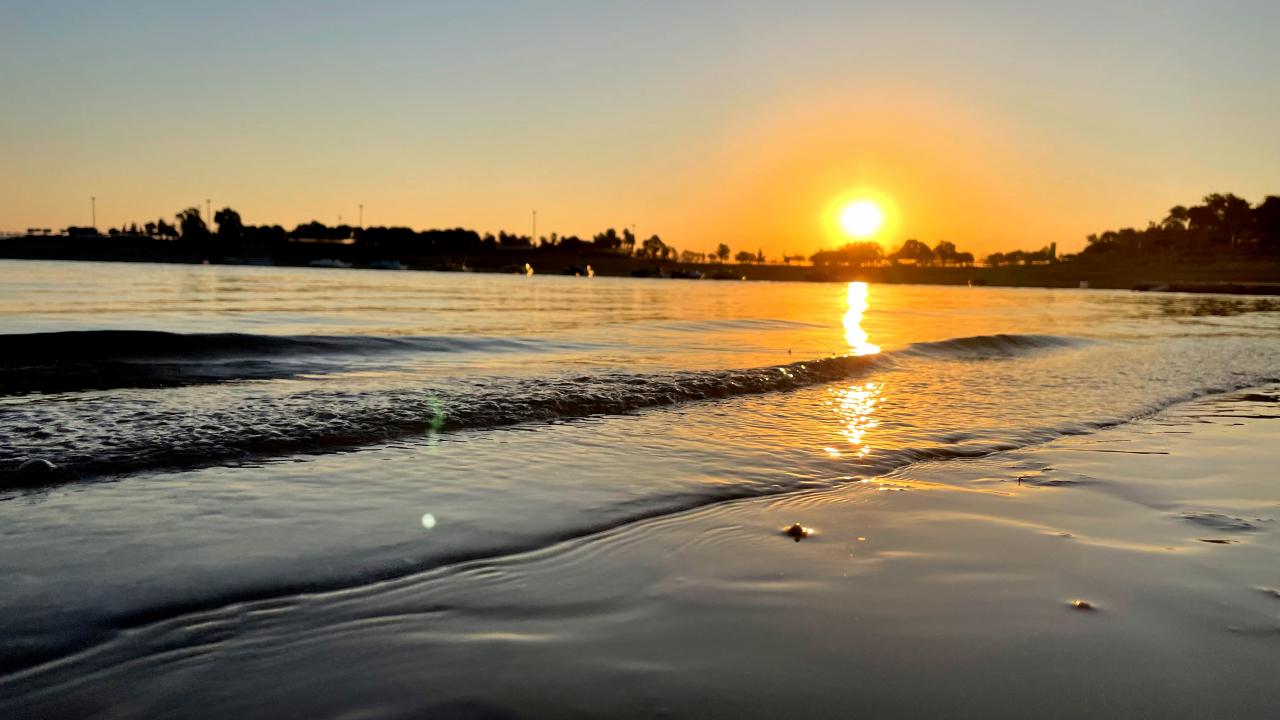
(943,590)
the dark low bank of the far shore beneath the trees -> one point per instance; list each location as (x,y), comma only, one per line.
(1235,277)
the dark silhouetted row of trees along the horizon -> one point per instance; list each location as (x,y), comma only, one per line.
(1223,225)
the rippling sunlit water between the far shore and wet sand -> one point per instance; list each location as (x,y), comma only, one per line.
(180,439)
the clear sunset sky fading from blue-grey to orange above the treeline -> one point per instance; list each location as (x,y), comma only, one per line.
(993,125)
